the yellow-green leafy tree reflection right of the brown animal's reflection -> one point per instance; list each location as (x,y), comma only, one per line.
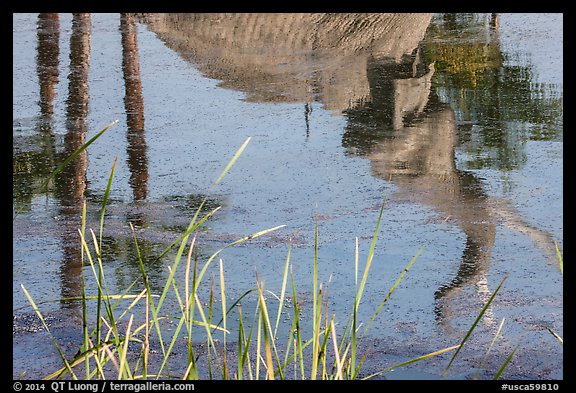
(493,92)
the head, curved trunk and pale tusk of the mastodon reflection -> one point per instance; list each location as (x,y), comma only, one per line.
(410,136)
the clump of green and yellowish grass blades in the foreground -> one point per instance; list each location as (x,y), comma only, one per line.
(110,350)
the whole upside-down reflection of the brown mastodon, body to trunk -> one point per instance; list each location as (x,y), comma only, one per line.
(370,68)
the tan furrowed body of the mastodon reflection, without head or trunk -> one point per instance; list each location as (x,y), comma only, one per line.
(291,57)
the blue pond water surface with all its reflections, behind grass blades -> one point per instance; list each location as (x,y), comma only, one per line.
(453,121)
